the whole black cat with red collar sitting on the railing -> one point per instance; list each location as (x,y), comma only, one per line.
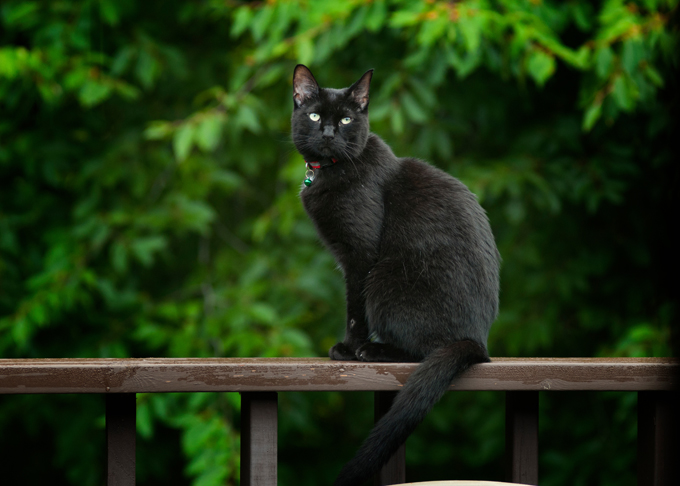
(419,259)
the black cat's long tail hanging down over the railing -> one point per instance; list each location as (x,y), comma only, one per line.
(424,388)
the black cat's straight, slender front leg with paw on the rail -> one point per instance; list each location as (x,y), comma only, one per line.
(356,328)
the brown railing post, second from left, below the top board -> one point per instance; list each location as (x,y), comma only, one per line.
(259,436)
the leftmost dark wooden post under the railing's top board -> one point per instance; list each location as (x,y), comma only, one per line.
(121,420)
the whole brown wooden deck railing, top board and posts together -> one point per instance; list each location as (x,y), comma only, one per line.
(655,380)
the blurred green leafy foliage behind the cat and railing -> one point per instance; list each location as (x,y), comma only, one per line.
(149,207)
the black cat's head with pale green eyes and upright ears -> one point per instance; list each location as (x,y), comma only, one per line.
(329,123)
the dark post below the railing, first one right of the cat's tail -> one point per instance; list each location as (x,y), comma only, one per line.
(521,436)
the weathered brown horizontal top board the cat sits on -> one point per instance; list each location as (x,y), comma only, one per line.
(317,374)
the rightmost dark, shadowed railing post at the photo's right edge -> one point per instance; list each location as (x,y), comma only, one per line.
(657,443)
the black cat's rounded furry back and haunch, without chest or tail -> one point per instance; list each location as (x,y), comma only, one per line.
(437,253)
